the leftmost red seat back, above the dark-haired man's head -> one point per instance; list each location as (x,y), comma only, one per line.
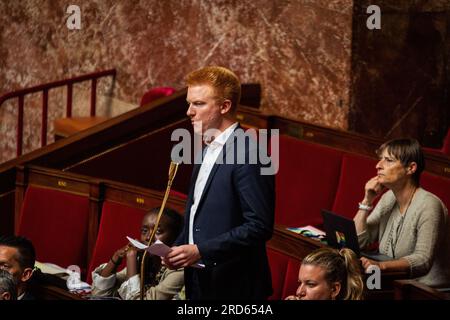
(57,224)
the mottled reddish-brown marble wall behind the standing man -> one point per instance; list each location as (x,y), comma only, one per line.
(299,50)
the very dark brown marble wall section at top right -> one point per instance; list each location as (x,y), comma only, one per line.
(401,73)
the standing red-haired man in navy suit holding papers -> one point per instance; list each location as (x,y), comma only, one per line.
(230,206)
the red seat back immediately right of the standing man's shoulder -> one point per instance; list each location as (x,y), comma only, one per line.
(306,181)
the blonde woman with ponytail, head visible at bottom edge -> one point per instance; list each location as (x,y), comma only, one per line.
(330,274)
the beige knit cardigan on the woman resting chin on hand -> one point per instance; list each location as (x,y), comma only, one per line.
(423,240)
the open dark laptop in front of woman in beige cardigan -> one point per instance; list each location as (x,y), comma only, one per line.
(341,232)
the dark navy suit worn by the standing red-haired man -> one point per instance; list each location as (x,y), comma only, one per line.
(233,221)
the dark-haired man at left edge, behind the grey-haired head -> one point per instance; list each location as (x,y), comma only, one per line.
(17,256)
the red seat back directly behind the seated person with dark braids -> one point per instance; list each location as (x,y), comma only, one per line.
(117,222)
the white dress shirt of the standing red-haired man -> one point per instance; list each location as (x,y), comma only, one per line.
(212,152)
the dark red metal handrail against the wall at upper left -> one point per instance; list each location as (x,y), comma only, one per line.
(20,94)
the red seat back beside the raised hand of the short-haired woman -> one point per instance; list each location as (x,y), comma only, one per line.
(355,172)
